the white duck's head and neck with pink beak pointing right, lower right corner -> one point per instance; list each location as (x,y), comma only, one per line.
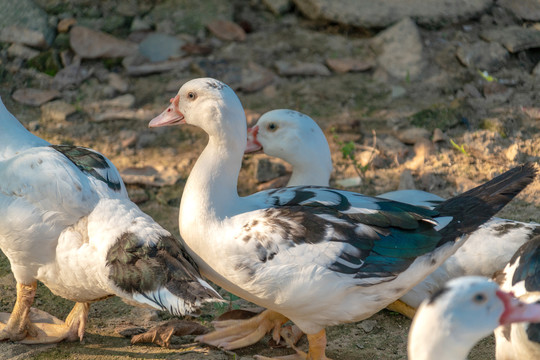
(466,309)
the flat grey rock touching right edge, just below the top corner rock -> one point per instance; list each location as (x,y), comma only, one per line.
(514,38)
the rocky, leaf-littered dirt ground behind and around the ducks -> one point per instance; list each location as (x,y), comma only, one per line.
(437,95)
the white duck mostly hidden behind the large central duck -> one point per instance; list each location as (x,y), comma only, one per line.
(297,139)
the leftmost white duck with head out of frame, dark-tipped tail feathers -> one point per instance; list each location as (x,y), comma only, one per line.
(66,220)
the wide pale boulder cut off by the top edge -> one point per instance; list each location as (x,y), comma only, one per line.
(382,13)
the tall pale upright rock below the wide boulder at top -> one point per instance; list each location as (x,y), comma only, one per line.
(404,39)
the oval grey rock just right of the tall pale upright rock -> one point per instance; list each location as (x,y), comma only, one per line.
(483,56)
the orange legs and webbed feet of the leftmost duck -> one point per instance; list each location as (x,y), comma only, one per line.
(31,326)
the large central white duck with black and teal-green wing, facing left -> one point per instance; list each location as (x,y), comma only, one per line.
(314,255)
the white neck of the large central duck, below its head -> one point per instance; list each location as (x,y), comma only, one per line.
(210,194)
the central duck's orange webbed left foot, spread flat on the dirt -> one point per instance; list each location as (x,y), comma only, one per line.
(235,334)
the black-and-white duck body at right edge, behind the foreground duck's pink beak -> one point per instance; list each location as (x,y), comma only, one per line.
(521,276)
